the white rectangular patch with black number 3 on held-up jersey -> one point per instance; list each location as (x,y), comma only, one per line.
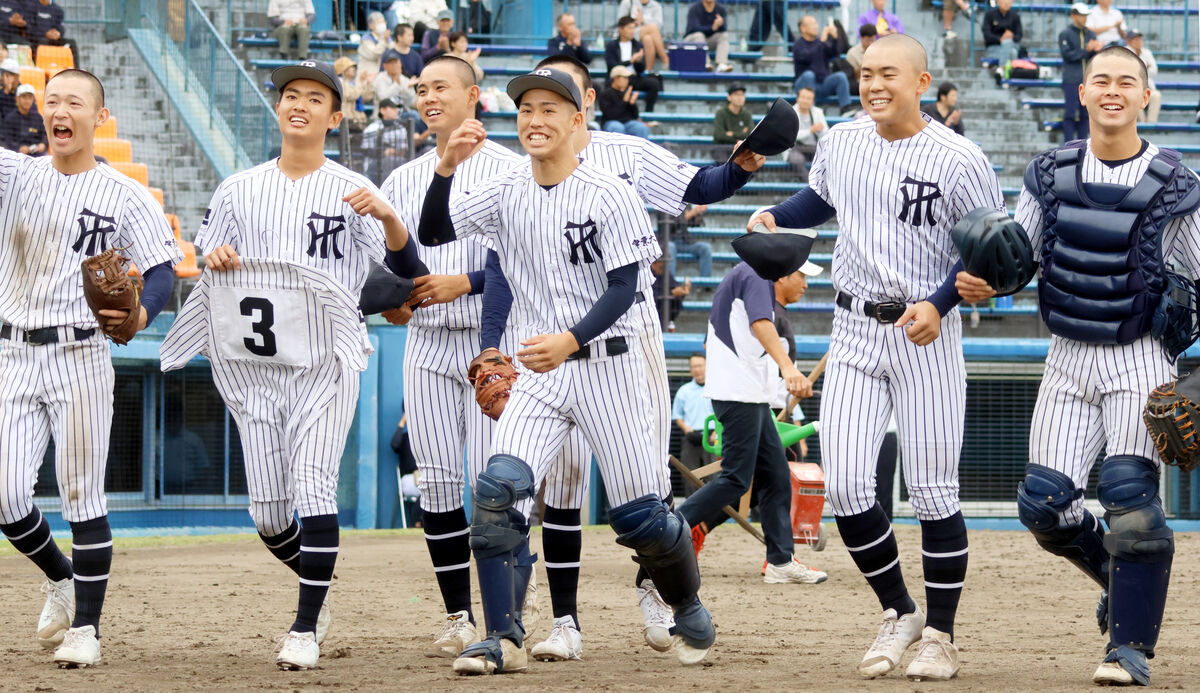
(248,326)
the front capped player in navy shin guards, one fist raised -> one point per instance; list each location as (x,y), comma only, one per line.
(575,243)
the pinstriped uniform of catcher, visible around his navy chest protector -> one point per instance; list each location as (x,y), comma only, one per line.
(1093,395)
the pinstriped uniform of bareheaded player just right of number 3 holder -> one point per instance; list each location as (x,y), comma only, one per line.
(443,418)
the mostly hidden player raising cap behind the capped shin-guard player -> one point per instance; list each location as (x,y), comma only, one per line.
(668,184)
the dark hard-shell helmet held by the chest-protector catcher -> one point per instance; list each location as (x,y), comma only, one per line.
(995,249)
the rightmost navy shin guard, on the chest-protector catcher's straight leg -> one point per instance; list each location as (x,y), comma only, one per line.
(1143,549)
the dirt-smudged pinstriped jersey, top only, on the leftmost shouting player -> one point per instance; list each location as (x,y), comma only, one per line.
(61,221)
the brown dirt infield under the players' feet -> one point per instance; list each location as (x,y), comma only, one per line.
(207,616)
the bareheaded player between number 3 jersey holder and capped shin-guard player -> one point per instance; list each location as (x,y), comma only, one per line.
(443,338)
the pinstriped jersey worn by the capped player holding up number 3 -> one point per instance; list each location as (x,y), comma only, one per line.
(265,214)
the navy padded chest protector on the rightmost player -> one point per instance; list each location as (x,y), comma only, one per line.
(1102,255)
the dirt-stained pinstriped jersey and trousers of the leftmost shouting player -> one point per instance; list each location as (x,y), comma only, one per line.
(53,222)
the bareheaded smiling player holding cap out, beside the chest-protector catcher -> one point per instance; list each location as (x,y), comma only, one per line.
(898,183)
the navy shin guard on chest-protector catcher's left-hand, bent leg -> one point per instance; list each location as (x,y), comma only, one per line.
(1041,499)
